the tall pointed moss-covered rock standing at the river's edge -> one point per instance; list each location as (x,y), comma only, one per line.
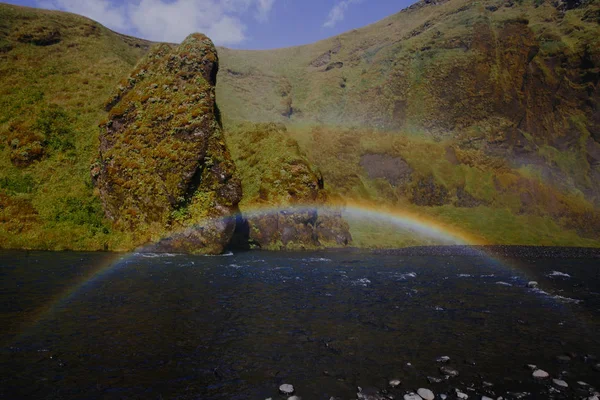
(163,165)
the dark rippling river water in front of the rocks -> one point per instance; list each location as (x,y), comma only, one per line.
(236,327)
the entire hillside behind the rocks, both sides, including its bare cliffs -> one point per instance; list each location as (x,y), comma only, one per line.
(481,115)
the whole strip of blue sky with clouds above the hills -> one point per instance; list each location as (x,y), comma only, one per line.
(242,24)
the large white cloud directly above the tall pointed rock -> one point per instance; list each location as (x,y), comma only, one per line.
(171,20)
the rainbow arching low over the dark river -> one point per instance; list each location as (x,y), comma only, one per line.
(403,219)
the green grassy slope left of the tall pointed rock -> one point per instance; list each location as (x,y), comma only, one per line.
(55,94)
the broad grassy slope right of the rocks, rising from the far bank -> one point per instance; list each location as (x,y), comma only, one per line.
(545,196)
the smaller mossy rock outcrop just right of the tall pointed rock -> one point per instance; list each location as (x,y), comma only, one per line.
(285,204)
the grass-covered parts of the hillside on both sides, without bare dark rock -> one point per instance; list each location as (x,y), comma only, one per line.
(55,95)
